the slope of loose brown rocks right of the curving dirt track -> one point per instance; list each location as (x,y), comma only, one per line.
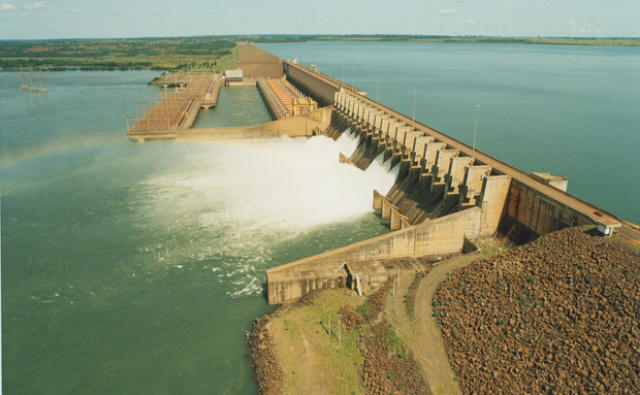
(560,315)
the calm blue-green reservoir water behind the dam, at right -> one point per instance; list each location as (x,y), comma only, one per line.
(568,110)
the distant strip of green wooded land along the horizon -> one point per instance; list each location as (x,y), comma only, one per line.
(211,52)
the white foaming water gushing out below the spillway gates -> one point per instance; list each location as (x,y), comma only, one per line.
(234,200)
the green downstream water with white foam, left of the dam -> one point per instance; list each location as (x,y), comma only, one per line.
(133,268)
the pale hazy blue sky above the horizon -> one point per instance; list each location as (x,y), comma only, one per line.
(51,19)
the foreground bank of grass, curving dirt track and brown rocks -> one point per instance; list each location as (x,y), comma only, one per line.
(426,328)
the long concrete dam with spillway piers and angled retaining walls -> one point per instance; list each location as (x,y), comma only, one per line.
(446,196)
